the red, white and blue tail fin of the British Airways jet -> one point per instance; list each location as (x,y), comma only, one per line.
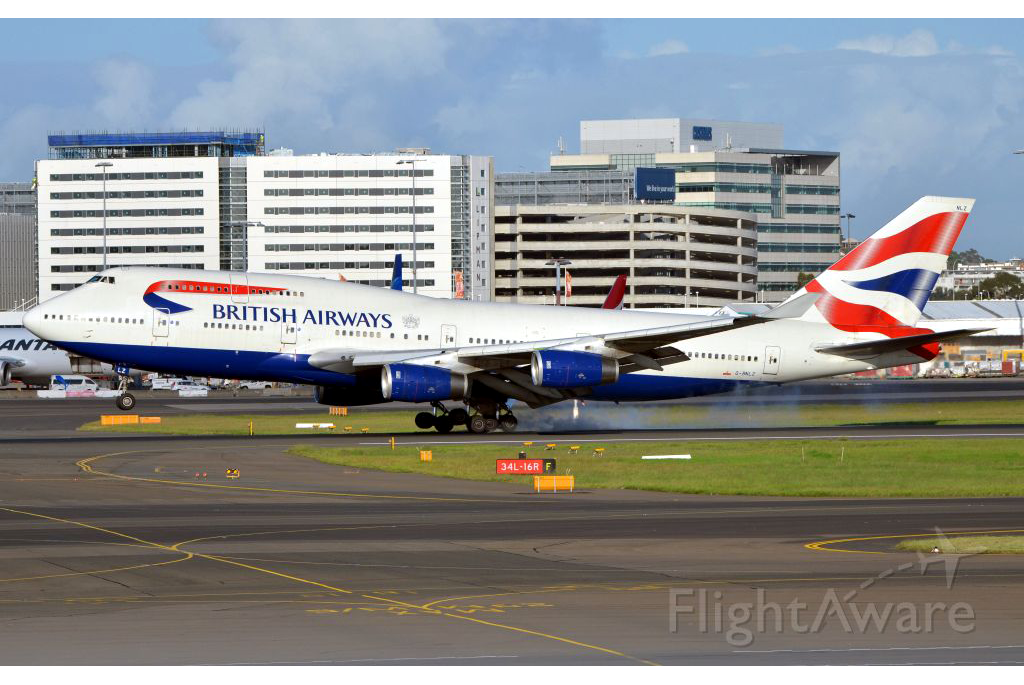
(882,286)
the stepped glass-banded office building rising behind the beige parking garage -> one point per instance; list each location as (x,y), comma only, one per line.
(794,196)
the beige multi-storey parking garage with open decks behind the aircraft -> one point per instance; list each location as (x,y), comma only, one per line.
(674,256)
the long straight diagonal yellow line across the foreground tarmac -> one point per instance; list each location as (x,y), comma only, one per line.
(388,601)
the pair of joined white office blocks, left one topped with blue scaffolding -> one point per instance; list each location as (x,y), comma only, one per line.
(219,201)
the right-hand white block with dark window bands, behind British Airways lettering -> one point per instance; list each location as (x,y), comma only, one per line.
(331,216)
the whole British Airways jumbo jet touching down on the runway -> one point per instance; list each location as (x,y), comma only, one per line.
(364,346)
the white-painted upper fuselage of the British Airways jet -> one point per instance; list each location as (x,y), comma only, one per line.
(377,320)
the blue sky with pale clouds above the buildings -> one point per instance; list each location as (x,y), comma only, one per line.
(915,107)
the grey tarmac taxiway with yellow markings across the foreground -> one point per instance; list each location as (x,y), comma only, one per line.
(112,552)
